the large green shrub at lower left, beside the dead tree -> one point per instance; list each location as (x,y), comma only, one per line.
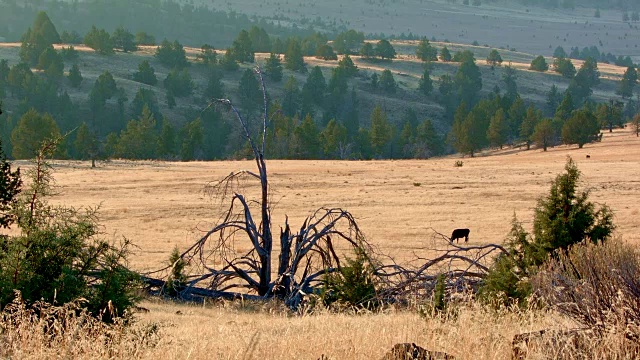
(58,256)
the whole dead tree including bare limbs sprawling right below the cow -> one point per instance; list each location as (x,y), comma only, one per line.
(234,258)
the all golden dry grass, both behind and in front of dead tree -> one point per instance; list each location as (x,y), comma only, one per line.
(160,205)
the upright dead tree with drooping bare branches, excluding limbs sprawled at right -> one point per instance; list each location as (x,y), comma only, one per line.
(218,270)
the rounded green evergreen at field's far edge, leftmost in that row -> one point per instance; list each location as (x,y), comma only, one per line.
(31,131)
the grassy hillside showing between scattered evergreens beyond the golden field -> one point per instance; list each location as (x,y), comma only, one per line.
(407,71)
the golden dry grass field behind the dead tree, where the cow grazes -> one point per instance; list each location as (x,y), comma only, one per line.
(158,205)
